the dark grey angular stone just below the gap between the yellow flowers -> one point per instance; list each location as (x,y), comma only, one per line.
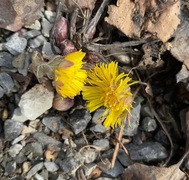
(79,120)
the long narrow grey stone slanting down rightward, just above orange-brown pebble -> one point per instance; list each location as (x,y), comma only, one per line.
(46,140)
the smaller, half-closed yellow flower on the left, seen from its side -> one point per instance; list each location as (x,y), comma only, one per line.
(69,76)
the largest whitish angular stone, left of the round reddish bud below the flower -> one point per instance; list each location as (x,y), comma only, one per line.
(37,100)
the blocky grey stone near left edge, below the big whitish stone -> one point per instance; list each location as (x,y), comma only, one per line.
(12,129)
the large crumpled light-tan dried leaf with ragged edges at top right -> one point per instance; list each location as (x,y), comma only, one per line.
(135,18)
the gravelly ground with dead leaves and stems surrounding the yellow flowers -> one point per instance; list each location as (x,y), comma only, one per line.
(39,142)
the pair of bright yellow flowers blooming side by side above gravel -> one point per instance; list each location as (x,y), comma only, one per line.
(101,86)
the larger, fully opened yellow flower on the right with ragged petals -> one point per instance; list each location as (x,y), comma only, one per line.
(109,89)
